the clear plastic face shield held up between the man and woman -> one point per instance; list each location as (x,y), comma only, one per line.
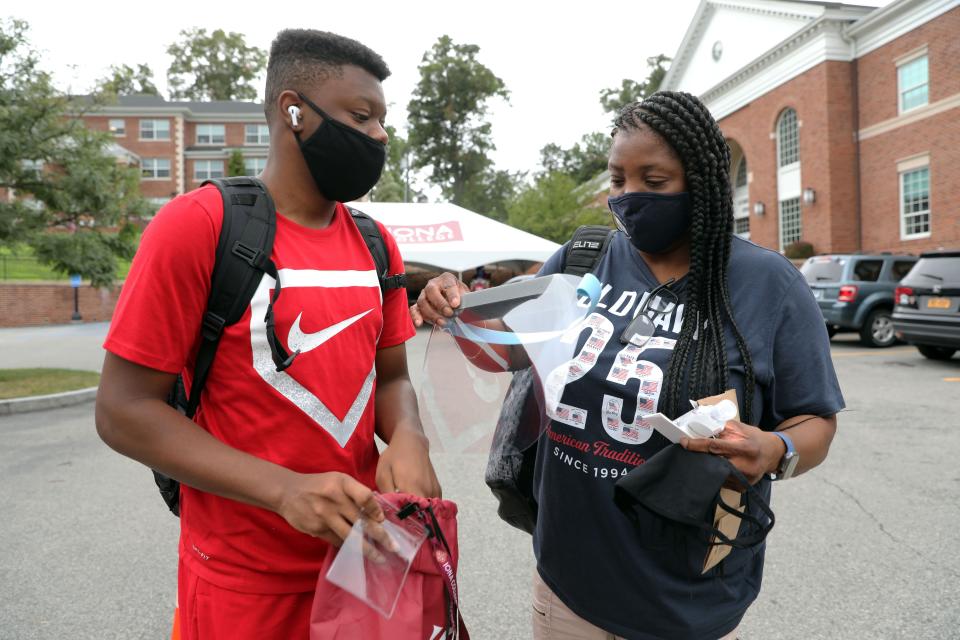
(496,332)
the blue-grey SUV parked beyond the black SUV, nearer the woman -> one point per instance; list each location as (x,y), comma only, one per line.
(855,291)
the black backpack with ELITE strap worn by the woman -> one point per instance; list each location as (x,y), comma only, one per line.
(510,469)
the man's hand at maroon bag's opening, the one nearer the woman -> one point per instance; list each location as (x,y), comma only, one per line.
(405,466)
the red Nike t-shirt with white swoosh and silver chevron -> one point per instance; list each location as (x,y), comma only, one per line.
(314,417)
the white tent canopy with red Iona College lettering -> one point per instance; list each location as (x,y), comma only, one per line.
(452,238)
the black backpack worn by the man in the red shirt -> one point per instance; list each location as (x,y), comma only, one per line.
(242,257)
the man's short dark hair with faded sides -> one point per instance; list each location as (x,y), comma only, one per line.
(301,57)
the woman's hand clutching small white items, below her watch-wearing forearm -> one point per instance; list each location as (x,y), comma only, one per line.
(751,450)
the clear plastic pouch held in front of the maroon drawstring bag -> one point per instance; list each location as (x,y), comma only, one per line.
(375,559)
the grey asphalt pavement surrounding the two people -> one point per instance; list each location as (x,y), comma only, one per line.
(865,546)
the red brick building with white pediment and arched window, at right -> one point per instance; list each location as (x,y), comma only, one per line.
(843,120)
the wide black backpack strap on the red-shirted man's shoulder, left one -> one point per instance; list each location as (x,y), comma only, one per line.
(243,255)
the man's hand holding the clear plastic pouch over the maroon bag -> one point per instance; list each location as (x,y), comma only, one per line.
(325,505)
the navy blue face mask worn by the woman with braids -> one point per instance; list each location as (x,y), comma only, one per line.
(654,222)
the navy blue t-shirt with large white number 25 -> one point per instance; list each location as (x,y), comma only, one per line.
(635,579)
